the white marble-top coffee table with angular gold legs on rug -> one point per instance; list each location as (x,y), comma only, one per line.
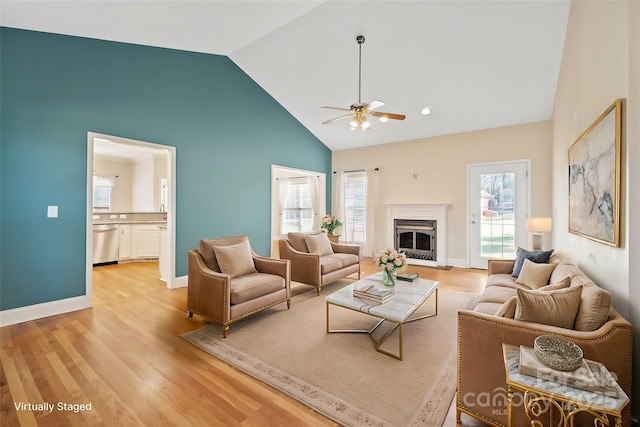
(408,297)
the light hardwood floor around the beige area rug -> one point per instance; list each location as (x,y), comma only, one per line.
(125,358)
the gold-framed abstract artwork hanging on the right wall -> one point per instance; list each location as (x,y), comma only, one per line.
(594,179)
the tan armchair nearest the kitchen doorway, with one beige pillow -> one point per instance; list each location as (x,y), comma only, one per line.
(228,281)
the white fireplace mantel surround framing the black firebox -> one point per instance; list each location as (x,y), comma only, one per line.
(424,211)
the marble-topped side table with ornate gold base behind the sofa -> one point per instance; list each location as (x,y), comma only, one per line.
(541,395)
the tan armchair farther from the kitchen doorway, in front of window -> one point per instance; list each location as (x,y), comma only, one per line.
(316,261)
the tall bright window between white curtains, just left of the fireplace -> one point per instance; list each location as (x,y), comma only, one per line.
(355,206)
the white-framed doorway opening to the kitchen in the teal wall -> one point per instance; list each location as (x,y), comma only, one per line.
(160,202)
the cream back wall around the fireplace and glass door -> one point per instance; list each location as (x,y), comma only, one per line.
(442,163)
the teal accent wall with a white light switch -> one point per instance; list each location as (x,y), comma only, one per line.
(54,89)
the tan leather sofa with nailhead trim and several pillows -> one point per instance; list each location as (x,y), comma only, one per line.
(602,333)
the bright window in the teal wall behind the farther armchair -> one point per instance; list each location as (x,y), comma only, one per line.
(298,206)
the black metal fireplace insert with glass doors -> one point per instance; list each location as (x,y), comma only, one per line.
(416,238)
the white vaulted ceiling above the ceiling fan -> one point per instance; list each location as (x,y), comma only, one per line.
(477,64)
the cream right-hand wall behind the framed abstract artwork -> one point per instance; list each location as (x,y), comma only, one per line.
(601,63)
